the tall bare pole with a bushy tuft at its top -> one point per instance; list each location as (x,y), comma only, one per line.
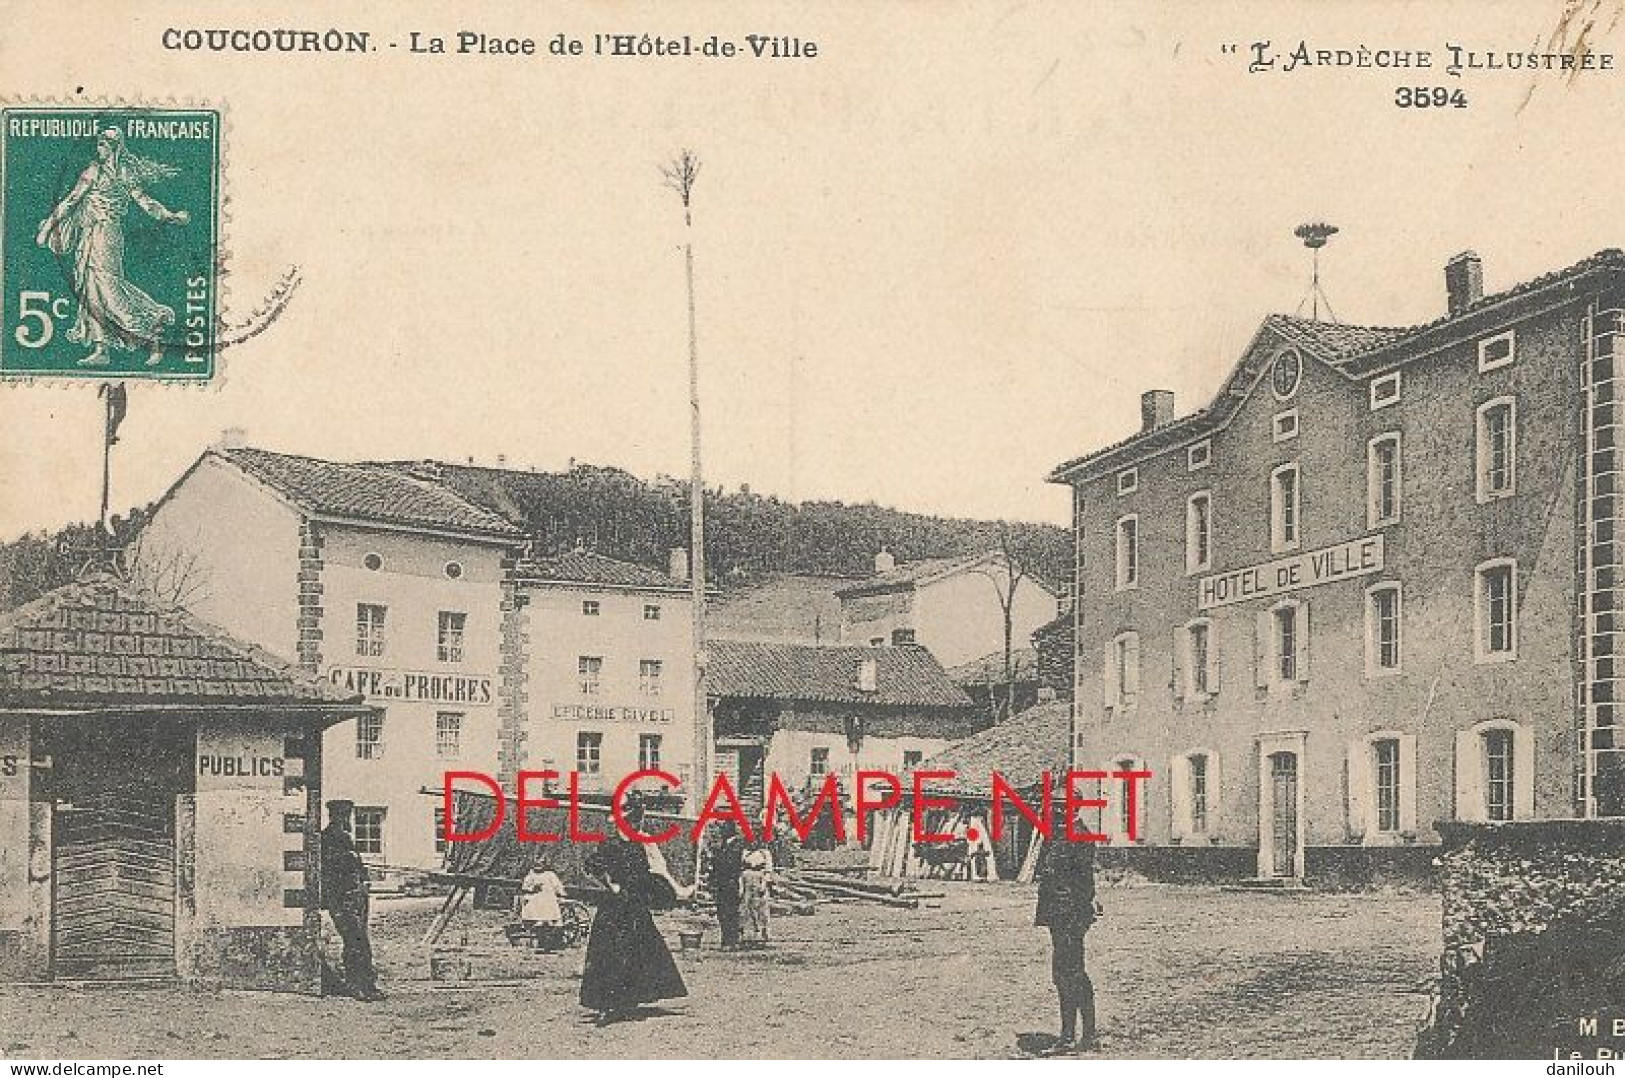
(680,176)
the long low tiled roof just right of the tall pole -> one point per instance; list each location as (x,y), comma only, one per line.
(908,677)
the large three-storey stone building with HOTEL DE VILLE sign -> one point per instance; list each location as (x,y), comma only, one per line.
(1374,586)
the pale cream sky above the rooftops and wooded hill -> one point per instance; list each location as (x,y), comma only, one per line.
(934,263)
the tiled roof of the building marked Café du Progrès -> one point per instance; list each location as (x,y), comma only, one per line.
(370,492)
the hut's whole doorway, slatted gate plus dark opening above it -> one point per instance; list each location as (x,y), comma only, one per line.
(113,786)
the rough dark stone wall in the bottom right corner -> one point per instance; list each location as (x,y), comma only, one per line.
(1533,957)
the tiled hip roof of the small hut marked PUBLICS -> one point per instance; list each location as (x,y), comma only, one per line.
(100,643)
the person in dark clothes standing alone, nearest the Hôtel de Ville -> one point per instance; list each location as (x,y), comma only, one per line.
(1068,908)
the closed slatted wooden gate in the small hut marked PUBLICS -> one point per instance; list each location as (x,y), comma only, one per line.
(115,903)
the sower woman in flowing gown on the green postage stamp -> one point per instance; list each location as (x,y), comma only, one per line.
(87,228)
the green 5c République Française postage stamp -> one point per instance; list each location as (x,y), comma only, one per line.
(110,224)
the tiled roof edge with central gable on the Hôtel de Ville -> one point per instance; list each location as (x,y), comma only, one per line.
(1353,350)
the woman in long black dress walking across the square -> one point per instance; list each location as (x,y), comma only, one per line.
(628,962)
